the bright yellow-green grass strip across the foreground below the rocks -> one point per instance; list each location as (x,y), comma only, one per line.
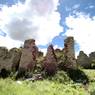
(45,87)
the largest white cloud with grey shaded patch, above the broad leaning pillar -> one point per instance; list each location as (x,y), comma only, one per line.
(34,19)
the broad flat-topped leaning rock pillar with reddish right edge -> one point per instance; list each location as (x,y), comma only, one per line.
(28,57)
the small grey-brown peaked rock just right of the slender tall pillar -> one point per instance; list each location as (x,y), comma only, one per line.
(83,60)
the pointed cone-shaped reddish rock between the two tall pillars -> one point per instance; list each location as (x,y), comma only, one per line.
(50,61)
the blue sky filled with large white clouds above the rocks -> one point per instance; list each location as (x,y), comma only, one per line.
(48,21)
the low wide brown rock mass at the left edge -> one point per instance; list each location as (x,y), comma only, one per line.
(9,60)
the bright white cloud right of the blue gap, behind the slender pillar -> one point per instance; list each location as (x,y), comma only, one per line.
(83,30)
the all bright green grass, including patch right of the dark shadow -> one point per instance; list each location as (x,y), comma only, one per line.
(47,87)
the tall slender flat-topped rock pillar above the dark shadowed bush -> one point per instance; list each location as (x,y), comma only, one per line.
(69,53)
